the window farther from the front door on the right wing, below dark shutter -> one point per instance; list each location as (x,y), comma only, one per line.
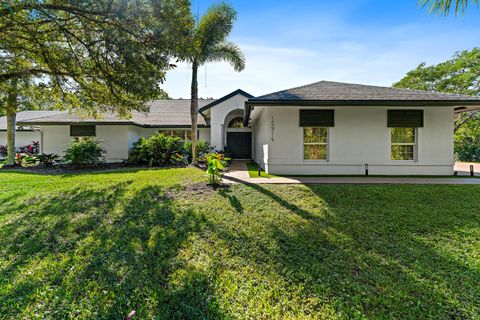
(403,143)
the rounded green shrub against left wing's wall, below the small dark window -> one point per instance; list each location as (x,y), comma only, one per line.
(84,151)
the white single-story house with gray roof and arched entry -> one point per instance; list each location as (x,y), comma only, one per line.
(316,129)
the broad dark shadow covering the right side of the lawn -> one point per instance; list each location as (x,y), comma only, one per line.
(369,257)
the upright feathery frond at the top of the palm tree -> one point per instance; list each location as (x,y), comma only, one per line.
(214,27)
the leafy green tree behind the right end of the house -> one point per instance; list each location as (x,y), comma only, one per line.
(460,75)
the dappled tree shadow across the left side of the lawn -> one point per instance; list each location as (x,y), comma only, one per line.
(103,253)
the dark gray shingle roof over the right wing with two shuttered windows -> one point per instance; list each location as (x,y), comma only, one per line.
(336,91)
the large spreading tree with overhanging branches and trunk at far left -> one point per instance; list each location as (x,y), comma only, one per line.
(93,55)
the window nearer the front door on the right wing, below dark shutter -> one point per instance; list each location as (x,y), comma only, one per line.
(315,143)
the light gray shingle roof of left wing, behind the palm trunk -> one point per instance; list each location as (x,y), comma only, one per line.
(167,113)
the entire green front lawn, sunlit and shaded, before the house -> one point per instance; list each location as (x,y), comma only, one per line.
(96,246)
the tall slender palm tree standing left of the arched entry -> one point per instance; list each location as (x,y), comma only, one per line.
(208,43)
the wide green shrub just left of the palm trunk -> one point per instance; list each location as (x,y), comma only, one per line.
(157,150)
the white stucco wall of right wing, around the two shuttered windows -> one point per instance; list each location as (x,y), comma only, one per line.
(360,137)
